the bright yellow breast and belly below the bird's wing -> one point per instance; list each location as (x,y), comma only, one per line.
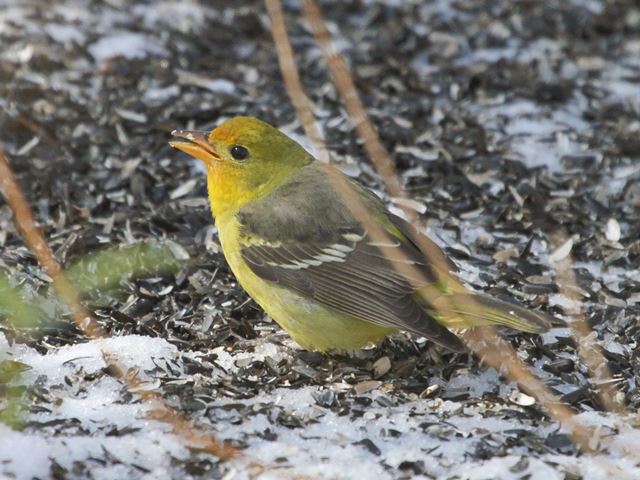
(310,324)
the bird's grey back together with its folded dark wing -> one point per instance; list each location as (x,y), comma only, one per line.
(303,237)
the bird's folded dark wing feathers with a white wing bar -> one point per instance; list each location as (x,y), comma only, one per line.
(362,282)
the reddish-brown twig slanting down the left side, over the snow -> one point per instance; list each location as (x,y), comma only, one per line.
(24,220)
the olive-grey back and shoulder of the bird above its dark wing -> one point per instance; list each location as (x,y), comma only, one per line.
(308,209)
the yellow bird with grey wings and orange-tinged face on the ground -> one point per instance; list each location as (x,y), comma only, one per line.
(335,281)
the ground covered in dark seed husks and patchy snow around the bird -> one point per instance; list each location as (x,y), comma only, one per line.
(507,120)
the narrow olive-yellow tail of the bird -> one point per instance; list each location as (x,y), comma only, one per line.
(466,310)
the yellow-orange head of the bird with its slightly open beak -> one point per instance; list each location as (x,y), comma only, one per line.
(246,159)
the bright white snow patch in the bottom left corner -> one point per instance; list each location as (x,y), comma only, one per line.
(98,407)
